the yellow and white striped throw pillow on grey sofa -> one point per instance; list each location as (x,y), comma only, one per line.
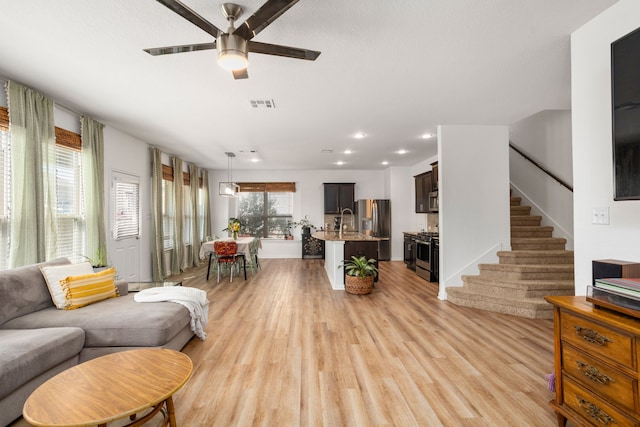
(89,288)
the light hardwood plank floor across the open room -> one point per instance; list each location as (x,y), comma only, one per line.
(283,349)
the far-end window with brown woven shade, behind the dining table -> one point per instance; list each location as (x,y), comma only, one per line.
(266,213)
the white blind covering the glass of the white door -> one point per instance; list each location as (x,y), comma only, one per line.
(126,204)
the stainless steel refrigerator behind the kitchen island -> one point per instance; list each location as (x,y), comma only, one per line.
(374,219)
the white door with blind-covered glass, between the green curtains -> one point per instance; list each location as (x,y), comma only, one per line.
(125,225)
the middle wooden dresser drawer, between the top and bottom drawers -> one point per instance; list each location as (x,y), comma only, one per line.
(599,377)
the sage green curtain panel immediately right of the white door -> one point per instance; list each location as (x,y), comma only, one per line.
(158,267)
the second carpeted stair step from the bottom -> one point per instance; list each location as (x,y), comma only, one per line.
(519,288)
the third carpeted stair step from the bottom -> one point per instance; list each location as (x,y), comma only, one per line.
(526,271)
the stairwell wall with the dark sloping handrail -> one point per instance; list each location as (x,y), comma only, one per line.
(546,137)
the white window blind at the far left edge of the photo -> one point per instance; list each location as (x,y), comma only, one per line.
(5,198)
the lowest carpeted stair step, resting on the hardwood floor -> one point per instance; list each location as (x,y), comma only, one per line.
(531,308)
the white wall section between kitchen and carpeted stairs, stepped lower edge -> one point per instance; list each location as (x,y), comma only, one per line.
(473,167)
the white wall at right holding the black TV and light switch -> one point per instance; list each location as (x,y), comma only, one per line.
(592,145)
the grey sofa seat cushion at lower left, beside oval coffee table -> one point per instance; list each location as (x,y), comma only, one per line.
(27,353)
